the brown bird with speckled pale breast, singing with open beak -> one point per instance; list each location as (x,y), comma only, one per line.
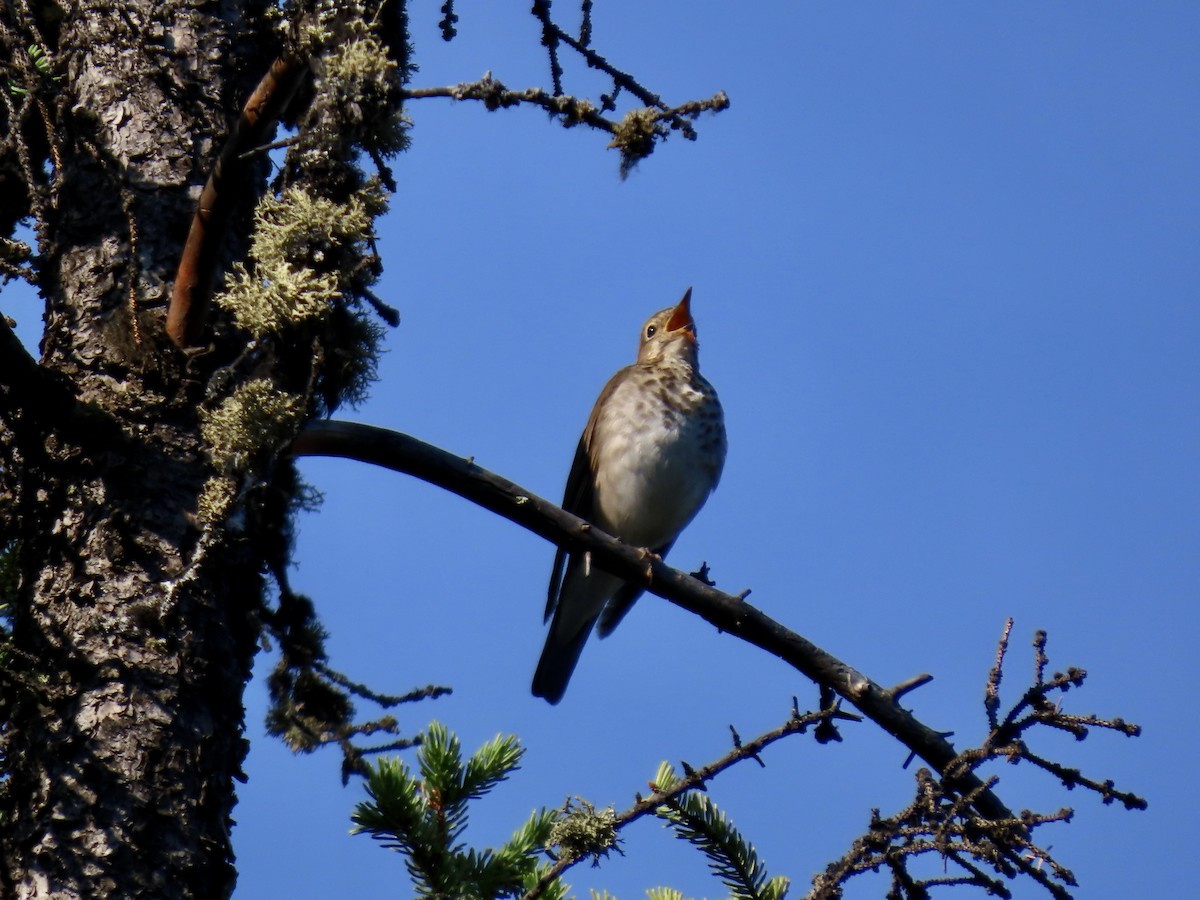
(652,453)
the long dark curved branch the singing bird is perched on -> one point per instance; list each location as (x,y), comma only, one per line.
(401,453)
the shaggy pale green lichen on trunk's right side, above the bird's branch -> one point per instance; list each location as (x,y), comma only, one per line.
(305,289)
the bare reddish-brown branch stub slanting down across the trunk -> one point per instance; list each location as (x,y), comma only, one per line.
(206,241)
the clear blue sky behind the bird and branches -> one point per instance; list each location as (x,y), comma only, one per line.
(946,262)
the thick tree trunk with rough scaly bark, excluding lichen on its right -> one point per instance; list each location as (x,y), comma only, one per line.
(134,635)
